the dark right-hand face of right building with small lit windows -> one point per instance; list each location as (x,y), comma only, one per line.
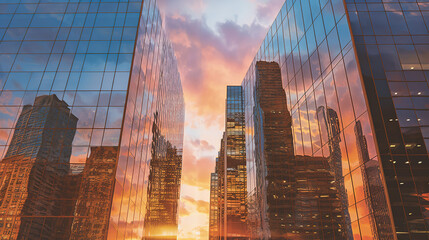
(392,45)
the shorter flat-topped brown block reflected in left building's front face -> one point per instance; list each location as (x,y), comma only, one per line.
(91,212)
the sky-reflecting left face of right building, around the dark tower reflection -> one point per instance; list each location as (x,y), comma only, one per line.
(312,43)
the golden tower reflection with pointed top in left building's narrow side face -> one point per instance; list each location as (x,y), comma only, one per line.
(164,187)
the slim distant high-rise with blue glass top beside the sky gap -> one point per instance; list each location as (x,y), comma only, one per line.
(231,171)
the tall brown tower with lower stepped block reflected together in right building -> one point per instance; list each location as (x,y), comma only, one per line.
(296,194)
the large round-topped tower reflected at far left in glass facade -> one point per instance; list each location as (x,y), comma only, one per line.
(37,166)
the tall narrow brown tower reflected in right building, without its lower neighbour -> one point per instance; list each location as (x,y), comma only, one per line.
(274,155)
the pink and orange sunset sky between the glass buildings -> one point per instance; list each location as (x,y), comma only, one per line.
(215,42)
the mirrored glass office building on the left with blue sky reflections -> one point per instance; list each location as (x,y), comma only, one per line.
(81,85)
